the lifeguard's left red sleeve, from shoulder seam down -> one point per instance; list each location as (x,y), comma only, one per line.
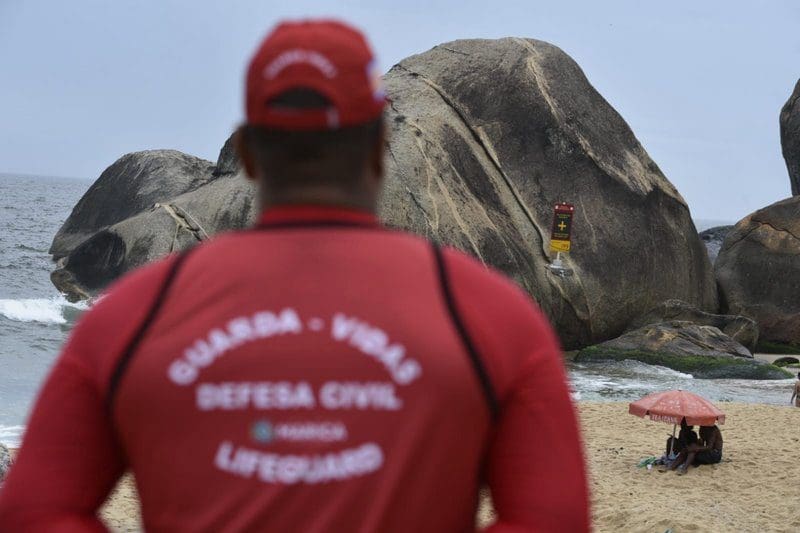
(70,459)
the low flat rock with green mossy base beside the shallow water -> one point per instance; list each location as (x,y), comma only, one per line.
(702,351)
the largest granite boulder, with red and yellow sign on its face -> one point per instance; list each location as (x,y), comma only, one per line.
(487,135)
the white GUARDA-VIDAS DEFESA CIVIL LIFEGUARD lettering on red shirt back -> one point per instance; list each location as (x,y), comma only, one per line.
(327,406)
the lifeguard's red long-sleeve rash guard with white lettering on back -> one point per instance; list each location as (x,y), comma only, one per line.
(311,375)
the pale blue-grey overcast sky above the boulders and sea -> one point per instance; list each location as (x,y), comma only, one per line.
(700,83)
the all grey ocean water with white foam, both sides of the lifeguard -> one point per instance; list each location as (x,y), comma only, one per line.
(35,320)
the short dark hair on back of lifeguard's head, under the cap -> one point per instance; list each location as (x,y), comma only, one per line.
(300,158)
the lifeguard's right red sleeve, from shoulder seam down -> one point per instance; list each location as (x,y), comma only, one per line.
(535,465)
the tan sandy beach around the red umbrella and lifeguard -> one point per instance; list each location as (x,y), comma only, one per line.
(755,487)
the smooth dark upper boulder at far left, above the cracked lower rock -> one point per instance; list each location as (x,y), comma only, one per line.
(133,183)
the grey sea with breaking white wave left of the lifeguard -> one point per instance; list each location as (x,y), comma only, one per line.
(34,318)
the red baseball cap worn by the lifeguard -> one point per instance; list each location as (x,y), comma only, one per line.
(328,57)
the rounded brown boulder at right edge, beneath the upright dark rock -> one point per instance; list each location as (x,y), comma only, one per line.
(758,270)
